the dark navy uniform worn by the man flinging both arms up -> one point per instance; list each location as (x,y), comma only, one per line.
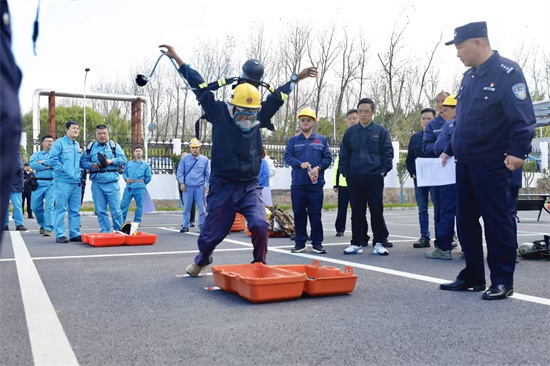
(235,164)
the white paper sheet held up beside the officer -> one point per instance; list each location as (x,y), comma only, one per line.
(429,172)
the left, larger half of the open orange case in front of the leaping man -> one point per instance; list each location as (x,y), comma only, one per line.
(259,283)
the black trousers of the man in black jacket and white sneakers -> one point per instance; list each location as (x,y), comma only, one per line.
(365,190)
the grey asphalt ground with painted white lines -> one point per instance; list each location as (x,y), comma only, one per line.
(74,303)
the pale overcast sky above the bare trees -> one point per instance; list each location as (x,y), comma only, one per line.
(111,36)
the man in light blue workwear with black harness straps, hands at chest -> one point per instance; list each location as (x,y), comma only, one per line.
(105,187)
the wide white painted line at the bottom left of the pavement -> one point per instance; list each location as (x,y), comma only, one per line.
(49,343)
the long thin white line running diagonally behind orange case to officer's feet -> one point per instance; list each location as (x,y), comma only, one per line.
(414,276)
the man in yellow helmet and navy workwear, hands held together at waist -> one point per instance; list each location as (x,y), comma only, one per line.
(307,152)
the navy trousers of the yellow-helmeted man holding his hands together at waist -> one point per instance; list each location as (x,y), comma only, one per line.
(307,201)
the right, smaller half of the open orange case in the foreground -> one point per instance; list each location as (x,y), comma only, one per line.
(322,281)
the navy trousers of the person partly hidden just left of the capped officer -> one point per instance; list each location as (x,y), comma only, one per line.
(444,212)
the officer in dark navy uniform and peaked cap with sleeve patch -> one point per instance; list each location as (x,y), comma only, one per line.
(493,131)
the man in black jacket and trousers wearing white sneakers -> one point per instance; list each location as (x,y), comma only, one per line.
(366,155)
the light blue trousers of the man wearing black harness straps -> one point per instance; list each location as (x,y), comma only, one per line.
(103,194)
